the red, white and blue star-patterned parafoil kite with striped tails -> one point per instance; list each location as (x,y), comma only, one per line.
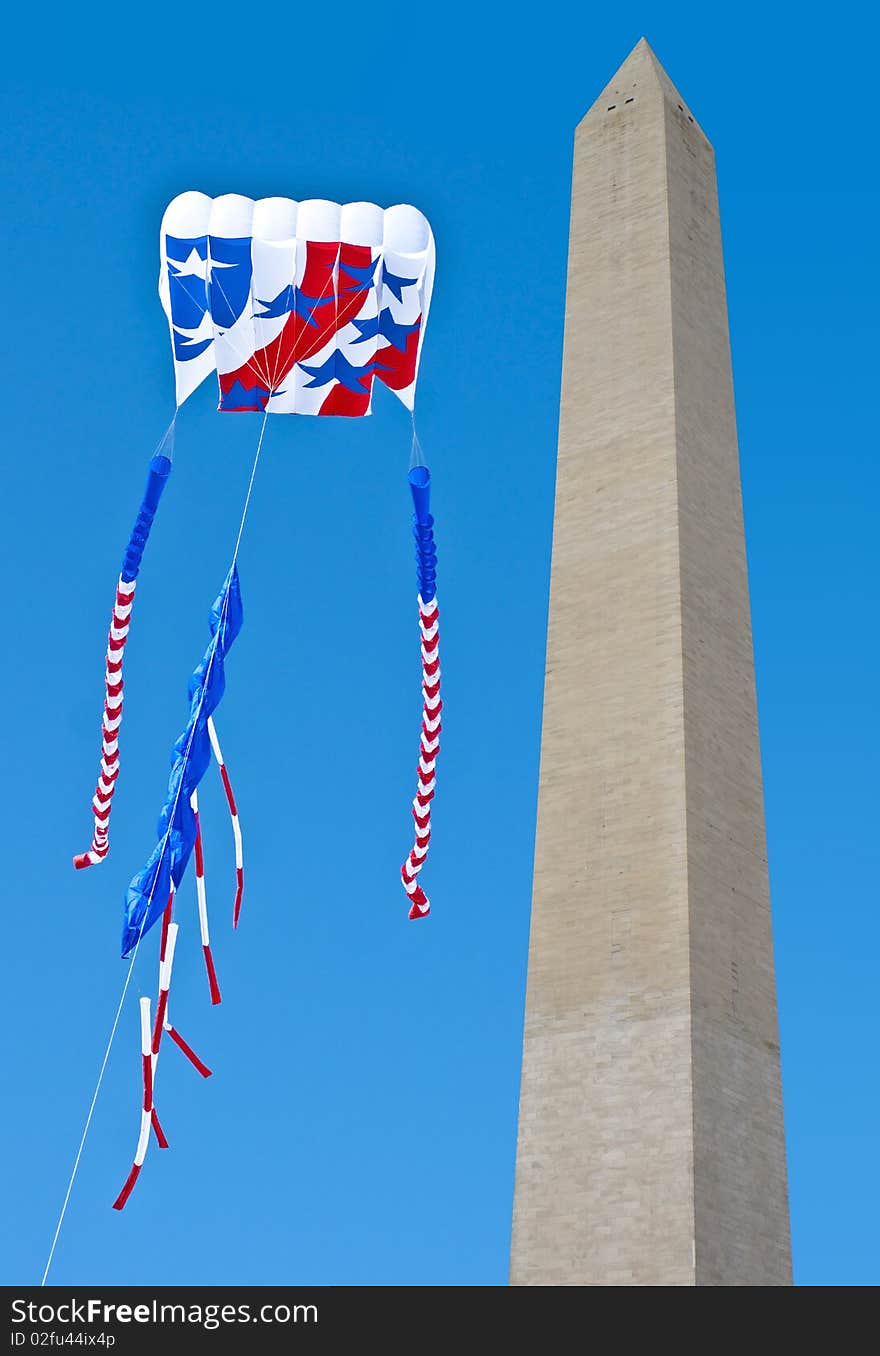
(299,308)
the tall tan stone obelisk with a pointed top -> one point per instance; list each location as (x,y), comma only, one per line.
(652,1146)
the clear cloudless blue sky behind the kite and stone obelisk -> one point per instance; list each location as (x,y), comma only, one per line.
(361,1123)
